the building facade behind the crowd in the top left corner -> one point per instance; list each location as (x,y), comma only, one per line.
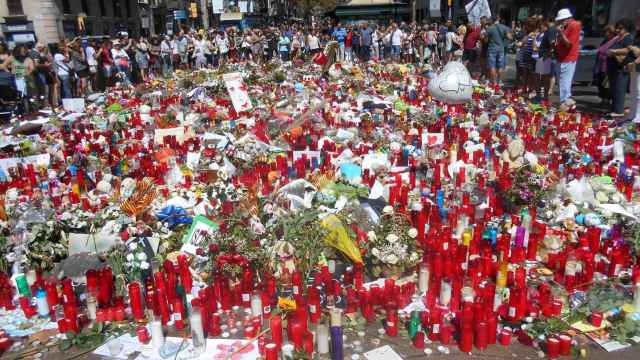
(49,21)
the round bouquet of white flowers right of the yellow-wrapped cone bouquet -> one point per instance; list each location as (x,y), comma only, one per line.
(391,247)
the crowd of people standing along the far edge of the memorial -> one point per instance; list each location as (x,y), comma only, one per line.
(546,53)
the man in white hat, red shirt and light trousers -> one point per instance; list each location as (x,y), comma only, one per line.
(567,48)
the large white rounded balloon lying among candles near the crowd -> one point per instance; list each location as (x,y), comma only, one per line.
(453,85)
